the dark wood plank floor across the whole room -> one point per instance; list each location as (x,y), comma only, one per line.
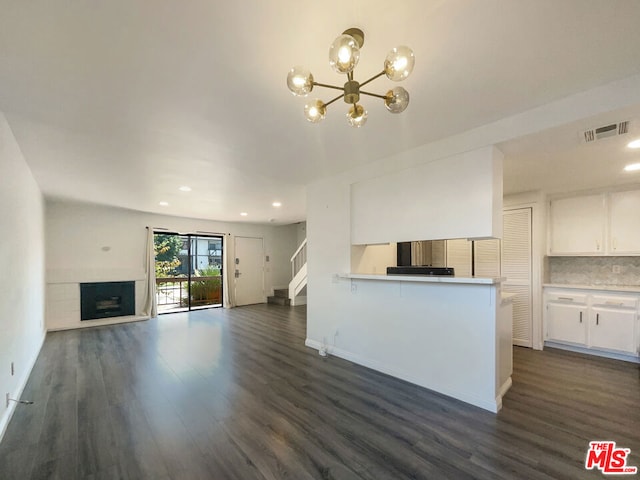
(235,394)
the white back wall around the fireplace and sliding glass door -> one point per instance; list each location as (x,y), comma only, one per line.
(77,232)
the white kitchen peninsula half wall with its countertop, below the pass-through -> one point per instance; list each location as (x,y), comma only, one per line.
(448,334)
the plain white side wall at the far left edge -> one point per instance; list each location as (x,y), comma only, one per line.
(22,279)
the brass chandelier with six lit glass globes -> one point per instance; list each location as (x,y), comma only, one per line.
(344,54)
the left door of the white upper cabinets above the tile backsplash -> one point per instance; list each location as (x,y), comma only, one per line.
(578,225)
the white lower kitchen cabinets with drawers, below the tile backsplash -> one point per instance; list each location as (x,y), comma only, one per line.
(595,320)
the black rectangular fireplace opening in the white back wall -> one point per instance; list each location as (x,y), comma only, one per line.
(106,300)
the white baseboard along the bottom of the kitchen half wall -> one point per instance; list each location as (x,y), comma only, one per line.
(492,406)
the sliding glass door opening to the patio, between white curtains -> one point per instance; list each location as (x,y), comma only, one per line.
(188,272)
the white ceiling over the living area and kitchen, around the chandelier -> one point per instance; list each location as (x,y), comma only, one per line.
(122,102)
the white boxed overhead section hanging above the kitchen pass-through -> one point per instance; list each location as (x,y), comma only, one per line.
(453,197)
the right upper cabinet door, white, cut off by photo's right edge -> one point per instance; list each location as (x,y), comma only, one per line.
(624,226)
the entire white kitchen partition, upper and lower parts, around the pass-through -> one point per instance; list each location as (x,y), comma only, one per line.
(442,333)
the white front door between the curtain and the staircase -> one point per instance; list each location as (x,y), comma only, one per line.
(249,271)
